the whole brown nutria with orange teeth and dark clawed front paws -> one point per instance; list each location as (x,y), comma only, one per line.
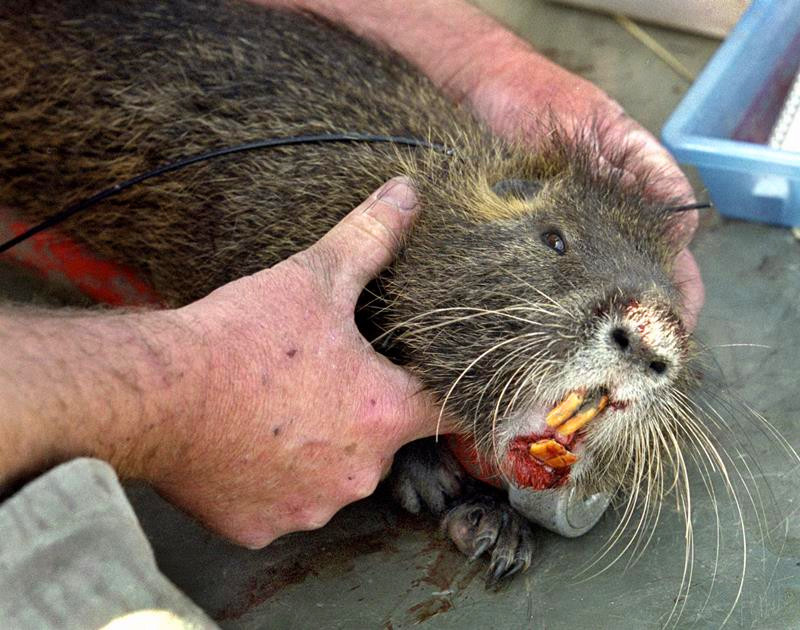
(531,278)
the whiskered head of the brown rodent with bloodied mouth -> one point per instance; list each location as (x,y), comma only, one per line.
(549,279)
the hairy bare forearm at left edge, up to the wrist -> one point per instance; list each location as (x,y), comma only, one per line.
(96,384)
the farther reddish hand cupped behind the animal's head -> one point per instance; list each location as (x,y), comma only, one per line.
(517,89)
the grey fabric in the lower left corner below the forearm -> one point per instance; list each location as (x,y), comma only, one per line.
(72,555)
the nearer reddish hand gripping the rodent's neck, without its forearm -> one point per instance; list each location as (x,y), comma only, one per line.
(302,416)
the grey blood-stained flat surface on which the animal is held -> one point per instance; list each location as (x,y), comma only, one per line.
(376,567)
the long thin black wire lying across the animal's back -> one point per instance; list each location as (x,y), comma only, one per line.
(202,157)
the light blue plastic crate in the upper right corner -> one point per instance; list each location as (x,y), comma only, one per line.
(723,123)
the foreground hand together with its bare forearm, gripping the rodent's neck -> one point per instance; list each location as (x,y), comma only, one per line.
(259,409)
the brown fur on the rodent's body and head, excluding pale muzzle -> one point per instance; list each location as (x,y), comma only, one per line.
(97,92)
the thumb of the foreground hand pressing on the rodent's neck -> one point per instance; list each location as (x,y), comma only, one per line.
(367,239)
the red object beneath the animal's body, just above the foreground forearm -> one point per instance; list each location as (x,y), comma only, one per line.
(58,258)
